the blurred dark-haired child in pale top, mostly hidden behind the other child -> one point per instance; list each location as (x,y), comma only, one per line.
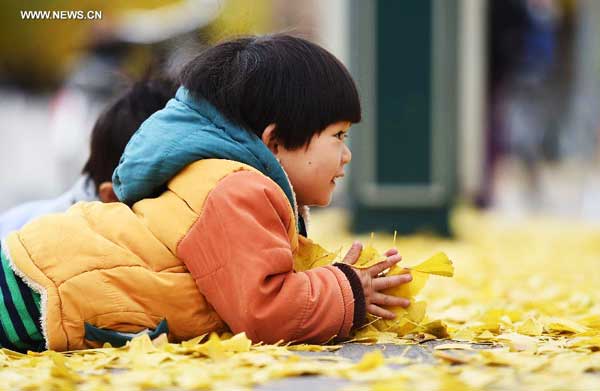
(111,132)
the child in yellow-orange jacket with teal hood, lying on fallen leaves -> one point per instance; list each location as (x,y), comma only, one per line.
(205,238)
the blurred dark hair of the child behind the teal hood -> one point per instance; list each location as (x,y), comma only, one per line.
(119,121)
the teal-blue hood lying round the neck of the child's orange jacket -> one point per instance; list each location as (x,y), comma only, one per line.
(187,130)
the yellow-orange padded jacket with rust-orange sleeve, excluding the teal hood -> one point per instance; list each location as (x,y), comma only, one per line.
(217,246)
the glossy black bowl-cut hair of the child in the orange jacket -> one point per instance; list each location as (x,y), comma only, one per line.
(280,79)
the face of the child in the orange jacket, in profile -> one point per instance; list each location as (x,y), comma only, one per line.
(313,171)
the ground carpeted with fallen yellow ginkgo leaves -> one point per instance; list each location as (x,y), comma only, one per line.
(521,312)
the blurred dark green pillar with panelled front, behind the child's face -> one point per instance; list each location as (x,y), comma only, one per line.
(403,56)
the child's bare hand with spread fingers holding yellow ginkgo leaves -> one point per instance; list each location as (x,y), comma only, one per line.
(372,284)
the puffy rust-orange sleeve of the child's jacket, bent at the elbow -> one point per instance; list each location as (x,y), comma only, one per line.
(240,256)
